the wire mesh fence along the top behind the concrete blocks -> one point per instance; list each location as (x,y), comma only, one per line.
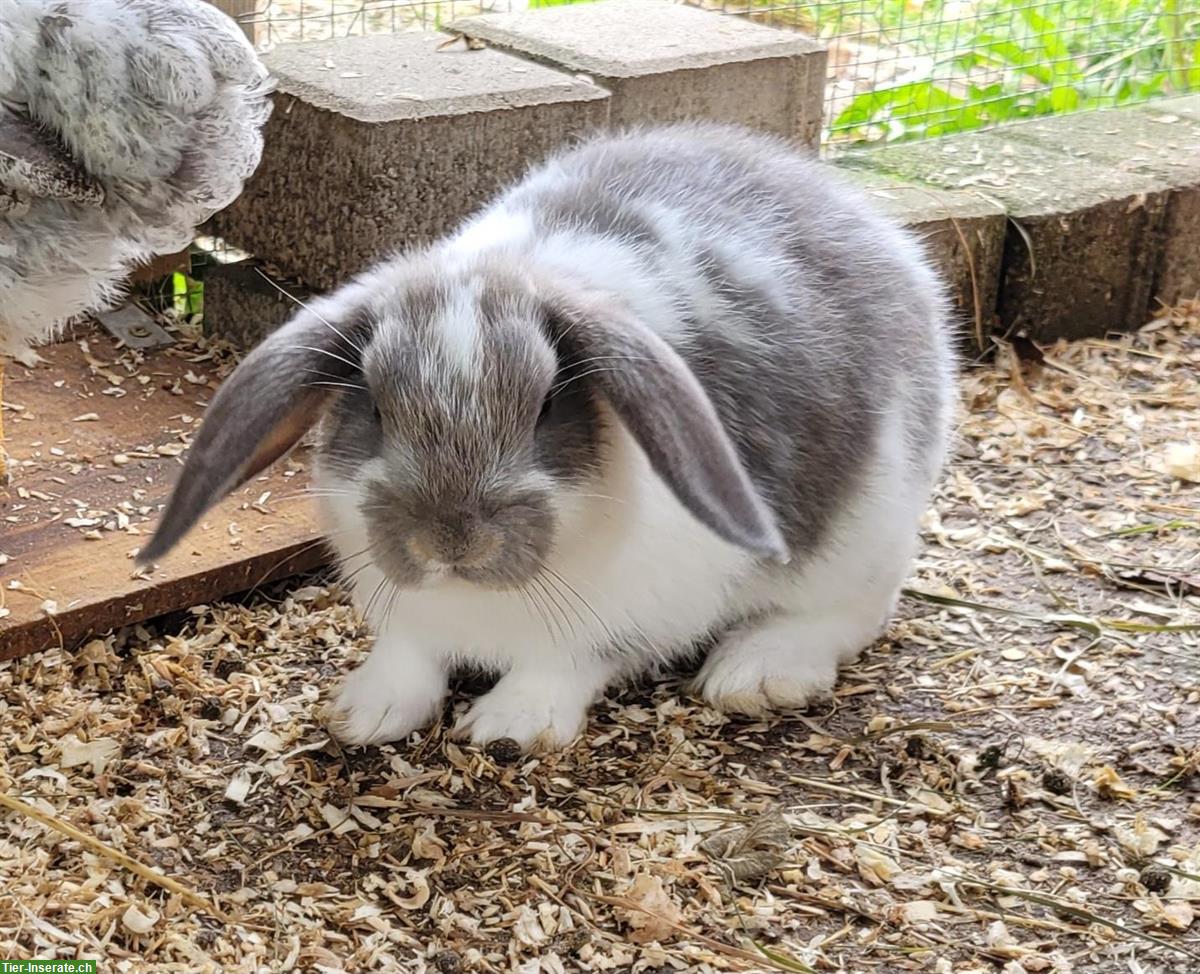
(899,70)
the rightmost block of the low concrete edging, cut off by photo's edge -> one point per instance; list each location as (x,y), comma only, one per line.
(1161,140)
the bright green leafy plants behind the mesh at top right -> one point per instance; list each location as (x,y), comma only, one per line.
(1015,59)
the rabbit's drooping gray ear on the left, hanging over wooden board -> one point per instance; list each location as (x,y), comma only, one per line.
(261,412)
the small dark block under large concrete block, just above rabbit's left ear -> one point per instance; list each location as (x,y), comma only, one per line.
(243,308)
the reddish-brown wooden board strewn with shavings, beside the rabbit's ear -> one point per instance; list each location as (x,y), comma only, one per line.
(117,471)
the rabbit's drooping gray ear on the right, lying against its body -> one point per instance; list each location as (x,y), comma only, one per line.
(668,412)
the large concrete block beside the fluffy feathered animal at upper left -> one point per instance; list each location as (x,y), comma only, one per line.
(383,142)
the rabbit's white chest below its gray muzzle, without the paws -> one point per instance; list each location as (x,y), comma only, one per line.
(632,570)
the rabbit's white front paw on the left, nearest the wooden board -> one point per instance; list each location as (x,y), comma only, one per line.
(386,701)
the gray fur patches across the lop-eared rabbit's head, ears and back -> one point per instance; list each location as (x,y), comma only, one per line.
(769,321)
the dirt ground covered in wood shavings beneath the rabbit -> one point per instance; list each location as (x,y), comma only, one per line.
(1009,783)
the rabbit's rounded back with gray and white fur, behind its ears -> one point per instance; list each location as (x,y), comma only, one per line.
(812,321)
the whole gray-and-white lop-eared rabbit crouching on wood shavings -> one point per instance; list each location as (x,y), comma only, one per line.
(674,384)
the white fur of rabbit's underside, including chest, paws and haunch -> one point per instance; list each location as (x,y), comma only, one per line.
(644,572)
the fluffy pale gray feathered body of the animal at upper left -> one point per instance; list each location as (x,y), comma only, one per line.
(124,127)
